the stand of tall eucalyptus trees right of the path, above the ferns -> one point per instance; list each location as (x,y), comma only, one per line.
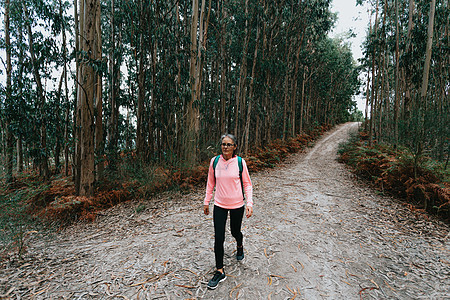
(405,52)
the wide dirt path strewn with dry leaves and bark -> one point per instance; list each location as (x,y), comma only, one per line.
(316,233)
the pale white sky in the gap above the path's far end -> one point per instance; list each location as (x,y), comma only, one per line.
(355,18)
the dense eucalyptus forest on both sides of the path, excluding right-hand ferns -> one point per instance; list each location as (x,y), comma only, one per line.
(121,93)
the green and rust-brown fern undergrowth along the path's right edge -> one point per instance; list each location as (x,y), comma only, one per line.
(421,181)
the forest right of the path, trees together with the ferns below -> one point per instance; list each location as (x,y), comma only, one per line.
(405,145)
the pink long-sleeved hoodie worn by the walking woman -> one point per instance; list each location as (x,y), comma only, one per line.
(228,193)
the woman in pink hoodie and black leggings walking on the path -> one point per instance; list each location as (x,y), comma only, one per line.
(228,197)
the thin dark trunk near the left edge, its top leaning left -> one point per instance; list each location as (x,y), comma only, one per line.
(43,163)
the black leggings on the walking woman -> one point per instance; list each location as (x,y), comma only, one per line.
(220,220)
